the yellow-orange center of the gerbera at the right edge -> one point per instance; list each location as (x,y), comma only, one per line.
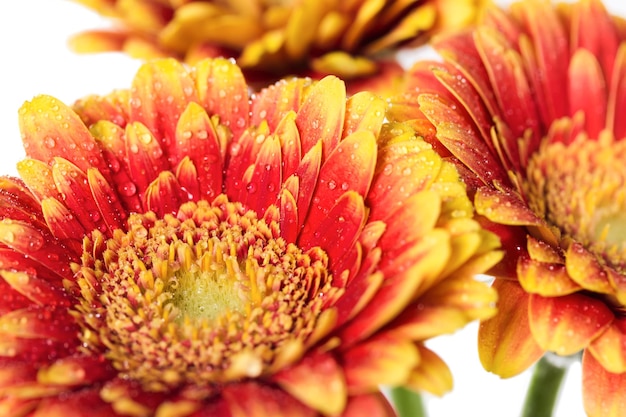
(580,188)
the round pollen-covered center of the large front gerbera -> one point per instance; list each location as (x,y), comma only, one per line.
(207,296)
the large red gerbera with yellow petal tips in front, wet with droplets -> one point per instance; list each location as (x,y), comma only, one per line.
(182,248)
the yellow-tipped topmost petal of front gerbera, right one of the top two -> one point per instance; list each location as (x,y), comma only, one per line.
(223,91)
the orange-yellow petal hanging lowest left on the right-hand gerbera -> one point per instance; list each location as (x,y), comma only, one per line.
(505,345)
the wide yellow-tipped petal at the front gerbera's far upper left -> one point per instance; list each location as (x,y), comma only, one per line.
(51,130)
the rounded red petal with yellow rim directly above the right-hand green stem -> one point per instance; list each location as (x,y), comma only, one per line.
(567,324)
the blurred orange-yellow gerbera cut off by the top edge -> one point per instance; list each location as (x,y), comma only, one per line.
(276,38)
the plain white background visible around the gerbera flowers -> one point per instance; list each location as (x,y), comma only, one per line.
(35,60)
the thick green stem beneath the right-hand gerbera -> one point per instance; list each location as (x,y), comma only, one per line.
(545,385)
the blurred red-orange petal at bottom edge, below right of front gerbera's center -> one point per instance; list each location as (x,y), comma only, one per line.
(318,382)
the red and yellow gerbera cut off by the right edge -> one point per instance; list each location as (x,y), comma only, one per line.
(528,104)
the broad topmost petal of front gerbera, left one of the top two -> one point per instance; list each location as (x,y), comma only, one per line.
(160,92)
